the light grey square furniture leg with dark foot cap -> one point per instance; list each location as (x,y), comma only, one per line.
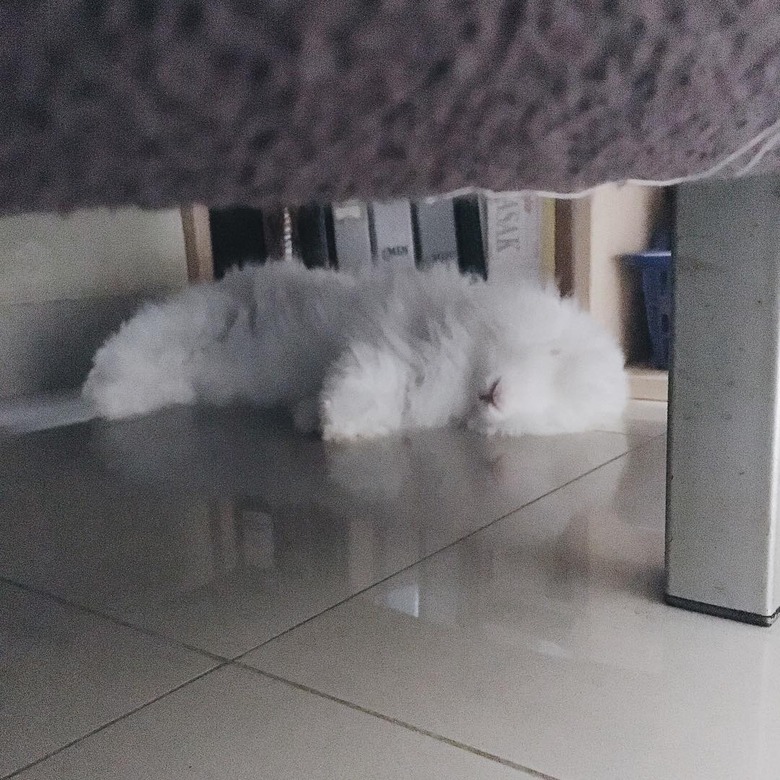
(722,542)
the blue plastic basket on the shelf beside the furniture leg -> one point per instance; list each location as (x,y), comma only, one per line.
(655,267)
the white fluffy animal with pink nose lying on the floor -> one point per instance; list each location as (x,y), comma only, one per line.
(367,356)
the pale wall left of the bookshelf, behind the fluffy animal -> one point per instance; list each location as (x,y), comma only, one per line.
(66,282)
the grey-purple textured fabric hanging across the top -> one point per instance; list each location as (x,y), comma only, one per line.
(230,101)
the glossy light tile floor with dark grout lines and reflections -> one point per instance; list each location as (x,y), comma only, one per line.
(207,595)
